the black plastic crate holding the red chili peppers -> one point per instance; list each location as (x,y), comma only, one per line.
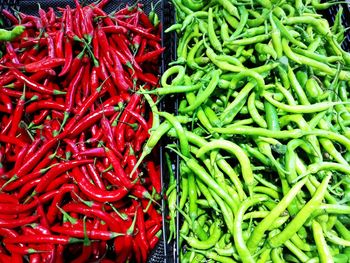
(163,251)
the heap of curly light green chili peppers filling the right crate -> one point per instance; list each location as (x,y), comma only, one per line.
(262,132)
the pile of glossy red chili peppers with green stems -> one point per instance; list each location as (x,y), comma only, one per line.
(72,128)
